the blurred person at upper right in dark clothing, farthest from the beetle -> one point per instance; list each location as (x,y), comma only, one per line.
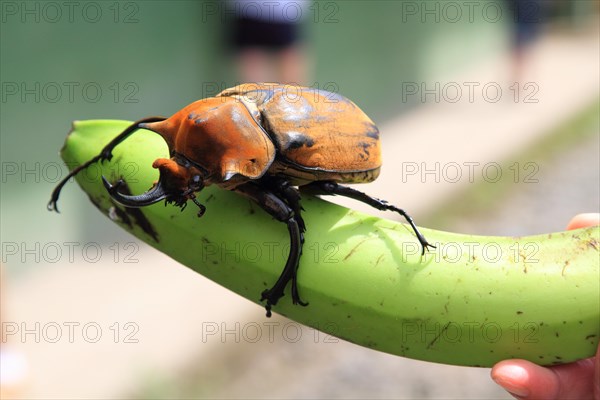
(526,24)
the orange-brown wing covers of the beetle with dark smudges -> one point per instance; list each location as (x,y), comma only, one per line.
(315,130)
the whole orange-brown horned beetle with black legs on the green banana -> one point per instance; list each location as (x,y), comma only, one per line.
(263,141)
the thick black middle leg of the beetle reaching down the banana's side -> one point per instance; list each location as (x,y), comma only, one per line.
(280,210)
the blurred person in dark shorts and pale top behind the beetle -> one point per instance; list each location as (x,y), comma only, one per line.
(266,38)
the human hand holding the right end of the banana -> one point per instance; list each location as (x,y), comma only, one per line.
(577,380)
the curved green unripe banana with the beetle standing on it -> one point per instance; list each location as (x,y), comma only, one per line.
(472,301)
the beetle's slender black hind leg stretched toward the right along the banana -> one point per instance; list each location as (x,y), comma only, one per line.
(332,188)
